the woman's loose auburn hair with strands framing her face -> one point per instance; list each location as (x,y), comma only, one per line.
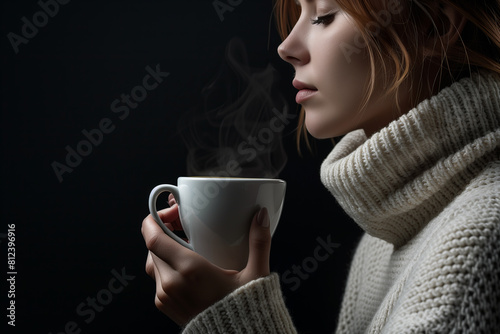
(398,47)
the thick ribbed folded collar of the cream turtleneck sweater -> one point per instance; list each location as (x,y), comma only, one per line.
(393,183)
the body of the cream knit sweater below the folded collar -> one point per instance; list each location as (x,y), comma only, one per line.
(453,281)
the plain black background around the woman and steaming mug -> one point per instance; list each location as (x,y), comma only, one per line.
(70,235)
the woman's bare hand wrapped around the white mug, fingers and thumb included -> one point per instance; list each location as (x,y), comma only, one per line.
(186,282)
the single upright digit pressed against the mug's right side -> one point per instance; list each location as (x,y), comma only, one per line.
(259,246)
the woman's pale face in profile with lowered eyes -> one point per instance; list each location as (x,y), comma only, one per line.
(332,68)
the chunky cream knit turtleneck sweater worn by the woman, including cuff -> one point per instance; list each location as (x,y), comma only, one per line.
(426,189)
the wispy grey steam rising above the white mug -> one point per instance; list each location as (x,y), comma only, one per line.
(238,130)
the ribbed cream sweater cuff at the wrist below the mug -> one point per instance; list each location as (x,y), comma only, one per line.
(257,307)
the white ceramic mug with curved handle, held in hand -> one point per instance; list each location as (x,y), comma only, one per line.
(216,213)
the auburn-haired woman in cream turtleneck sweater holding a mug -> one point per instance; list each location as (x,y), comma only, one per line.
(415,88)
